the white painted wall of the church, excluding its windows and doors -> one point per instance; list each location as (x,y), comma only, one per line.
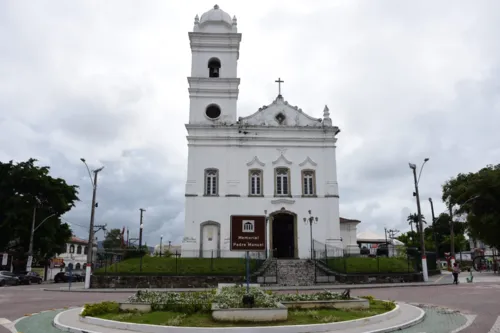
(258,141)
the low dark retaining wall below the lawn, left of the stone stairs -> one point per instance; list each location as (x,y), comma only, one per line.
(109,281)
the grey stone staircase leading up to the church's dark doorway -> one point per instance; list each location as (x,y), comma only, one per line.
(295,272)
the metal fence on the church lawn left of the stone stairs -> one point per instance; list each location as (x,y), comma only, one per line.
(212,262)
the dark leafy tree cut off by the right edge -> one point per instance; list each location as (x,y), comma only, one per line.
(478,195)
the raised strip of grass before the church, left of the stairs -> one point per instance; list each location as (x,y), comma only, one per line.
(180,266)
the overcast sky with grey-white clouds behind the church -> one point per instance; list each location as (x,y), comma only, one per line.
(106,80)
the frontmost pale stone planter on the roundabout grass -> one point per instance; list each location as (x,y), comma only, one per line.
(250,314)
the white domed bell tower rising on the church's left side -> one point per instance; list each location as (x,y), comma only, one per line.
(213,84)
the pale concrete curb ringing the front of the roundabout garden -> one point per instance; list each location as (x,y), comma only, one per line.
(329,327)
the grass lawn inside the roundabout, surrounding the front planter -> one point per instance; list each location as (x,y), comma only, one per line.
(295,317)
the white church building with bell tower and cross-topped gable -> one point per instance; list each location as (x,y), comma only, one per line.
(278,162)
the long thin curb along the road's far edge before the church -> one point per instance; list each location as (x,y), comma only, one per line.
(284,288)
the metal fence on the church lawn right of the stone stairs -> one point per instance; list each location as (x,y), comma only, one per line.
(338,260)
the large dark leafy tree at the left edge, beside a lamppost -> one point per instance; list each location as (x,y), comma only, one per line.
(24,186)
